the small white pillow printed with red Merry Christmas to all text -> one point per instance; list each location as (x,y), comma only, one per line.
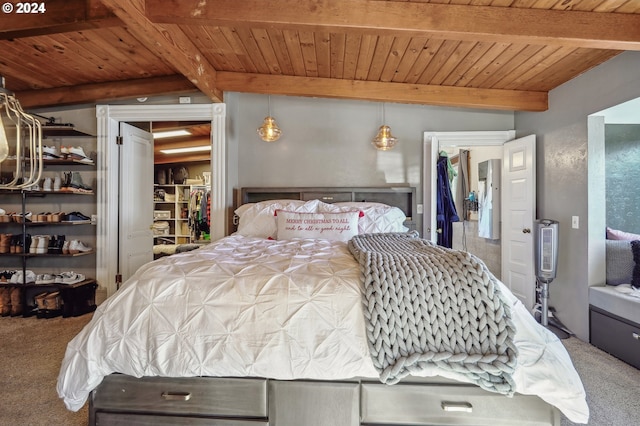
(328,226)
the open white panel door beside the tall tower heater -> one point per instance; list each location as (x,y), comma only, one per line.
(518,217)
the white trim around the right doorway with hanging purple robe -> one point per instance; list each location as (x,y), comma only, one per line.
(431,144)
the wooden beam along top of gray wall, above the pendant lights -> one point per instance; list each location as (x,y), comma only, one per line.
(384,92)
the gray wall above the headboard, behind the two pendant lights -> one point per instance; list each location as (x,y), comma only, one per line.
(327,142)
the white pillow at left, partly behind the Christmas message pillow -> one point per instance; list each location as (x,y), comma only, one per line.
(258,219)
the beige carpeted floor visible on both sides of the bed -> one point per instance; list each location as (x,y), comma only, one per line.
(32,349)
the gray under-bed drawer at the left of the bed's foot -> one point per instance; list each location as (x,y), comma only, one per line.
(198,396)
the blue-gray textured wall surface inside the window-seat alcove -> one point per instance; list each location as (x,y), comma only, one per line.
(622,169)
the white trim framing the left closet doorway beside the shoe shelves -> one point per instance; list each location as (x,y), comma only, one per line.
(108,121)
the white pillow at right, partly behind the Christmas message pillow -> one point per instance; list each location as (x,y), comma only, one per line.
(376,217)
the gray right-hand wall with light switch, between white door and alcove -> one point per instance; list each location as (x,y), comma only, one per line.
(564,181)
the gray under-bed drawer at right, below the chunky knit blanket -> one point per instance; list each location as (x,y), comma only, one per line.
(403,404)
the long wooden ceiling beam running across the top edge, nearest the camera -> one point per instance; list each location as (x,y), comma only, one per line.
(616,31)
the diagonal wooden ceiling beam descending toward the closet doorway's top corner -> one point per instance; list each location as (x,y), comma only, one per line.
(170,43)
